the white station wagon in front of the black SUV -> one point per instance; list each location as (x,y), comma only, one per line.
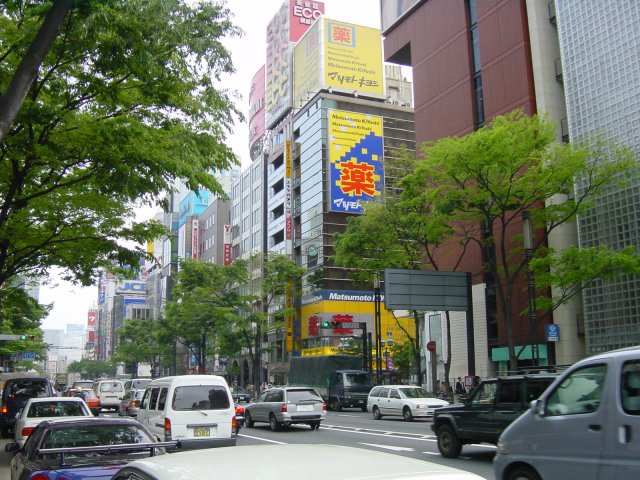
(407,401)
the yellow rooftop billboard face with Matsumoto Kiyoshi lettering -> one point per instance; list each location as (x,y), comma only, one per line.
(353,58)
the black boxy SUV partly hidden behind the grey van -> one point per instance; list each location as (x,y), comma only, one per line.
(490,408)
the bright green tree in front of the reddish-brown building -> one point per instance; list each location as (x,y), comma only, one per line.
(487,179)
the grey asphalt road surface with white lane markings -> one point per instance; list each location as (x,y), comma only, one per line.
(355,428)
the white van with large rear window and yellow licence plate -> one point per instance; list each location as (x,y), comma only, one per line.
(198,410)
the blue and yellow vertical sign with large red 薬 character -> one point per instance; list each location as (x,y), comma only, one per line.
(356,171)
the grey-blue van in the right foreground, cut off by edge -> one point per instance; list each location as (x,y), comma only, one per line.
(585,425)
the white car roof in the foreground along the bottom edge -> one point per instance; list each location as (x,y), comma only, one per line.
(288,462)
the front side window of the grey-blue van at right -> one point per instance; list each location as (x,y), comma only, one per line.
(580,392)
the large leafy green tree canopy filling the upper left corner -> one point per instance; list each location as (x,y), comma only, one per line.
(125,102)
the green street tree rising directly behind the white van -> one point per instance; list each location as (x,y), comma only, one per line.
(206,302)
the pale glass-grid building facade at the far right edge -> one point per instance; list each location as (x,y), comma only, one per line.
(600,49)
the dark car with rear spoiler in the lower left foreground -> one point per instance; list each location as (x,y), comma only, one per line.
(82,448)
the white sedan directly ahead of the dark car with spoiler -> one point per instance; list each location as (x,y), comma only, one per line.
(46,408)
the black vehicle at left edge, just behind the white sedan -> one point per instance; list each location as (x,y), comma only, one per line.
(17,391)
